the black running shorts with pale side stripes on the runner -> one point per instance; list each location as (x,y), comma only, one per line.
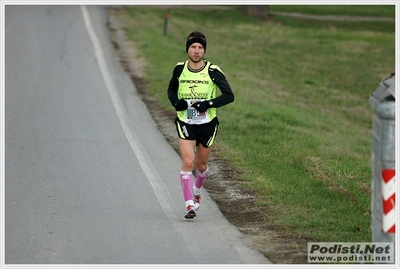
(203,133)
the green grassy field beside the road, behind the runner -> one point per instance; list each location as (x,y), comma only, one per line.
(299,128)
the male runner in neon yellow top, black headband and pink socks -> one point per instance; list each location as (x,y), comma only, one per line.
(192,91)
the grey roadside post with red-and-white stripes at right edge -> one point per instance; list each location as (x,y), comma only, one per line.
(383,184)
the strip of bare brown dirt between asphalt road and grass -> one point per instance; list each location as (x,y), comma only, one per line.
(236,202)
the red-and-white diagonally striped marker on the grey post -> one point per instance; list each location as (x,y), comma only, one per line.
(388,200)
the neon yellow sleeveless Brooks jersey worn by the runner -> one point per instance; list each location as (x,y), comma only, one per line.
(194,87)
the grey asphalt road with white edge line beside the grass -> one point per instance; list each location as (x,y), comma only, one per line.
(89,179)
